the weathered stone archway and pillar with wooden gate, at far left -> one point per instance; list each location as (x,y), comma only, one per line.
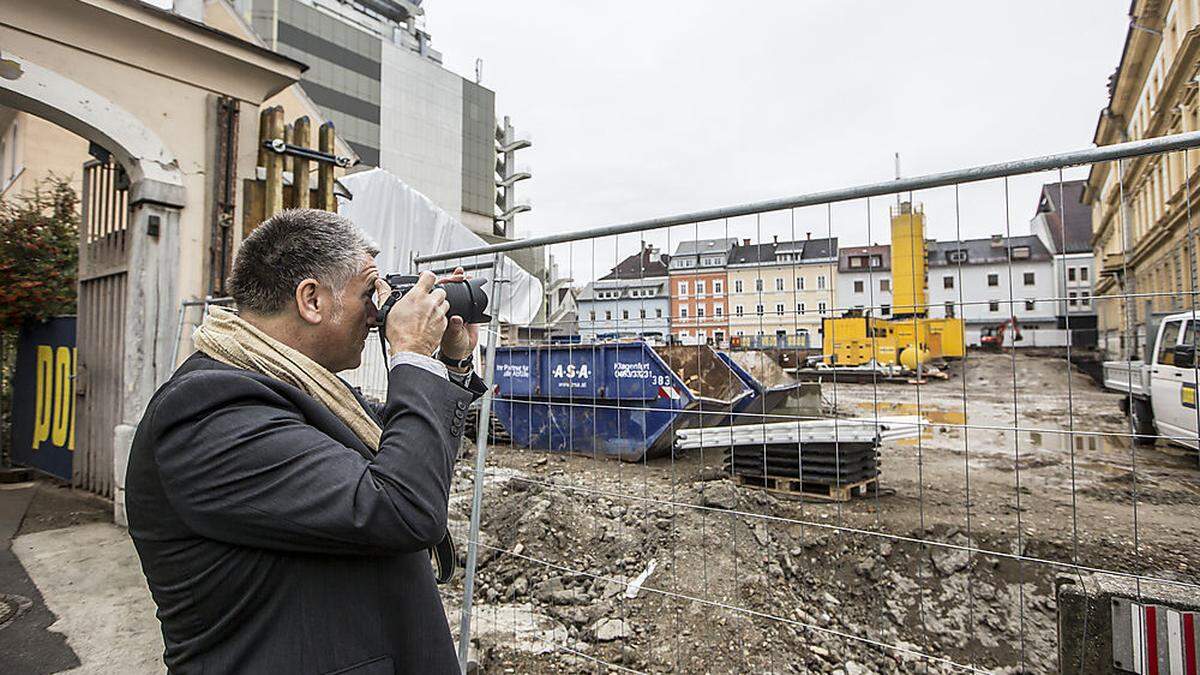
(112,377)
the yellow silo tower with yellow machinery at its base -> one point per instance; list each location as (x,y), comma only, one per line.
(910,338)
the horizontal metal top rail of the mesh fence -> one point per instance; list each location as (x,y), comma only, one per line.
(987,172)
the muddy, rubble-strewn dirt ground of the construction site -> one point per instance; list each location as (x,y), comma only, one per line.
(955,557)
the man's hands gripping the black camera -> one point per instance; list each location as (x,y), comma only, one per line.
(418,321)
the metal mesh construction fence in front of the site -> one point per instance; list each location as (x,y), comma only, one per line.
(869,429)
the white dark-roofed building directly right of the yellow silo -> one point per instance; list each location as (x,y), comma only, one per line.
(987,282)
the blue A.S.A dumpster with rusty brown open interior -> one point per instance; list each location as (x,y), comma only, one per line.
(617,399)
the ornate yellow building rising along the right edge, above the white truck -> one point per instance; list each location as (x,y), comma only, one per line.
(1145,253)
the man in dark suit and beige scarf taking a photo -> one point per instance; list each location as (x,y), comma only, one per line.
(275,539)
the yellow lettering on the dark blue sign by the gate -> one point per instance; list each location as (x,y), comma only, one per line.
(55,397)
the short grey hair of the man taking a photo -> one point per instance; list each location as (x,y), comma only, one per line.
(291,247)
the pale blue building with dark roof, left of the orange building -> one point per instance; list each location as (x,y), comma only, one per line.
(629,302)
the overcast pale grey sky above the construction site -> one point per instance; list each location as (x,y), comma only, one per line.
(662,107)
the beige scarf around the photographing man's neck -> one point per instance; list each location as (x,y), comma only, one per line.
(232,341)
